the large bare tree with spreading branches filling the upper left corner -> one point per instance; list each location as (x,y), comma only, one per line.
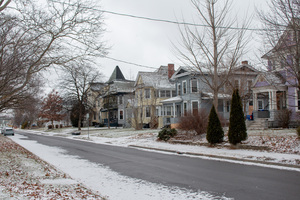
(35,37)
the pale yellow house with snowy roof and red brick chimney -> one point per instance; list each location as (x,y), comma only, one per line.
(150,89)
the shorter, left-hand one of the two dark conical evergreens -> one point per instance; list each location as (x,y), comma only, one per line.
(215,133)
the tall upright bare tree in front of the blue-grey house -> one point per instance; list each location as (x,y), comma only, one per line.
(214,48)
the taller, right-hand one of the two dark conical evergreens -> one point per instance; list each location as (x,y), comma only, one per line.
(237,127)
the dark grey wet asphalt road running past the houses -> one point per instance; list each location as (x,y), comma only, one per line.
(220,178)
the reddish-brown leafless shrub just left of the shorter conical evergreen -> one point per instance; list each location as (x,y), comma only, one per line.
(197,123)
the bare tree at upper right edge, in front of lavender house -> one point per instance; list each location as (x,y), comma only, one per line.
(282,38)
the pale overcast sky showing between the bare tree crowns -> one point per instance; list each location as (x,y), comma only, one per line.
(150,43)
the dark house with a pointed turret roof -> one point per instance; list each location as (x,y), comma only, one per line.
(115,96)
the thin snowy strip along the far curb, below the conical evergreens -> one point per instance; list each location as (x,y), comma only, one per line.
(216,156)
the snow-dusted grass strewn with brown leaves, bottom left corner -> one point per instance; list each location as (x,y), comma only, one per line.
(25,176)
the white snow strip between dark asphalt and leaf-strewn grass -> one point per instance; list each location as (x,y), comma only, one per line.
(107,182)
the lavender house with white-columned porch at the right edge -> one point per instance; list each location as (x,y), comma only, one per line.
(277,90)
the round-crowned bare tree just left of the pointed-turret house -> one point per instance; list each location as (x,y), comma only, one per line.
(75,85)
